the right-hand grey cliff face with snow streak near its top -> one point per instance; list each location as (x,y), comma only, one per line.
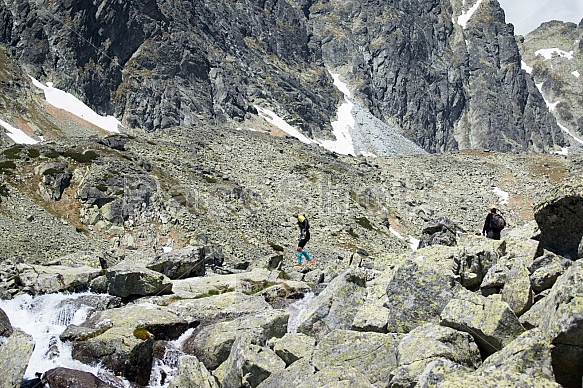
(448,74)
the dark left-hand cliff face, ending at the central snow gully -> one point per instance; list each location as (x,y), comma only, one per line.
(157,64)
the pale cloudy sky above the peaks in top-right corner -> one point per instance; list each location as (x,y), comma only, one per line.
(527,15)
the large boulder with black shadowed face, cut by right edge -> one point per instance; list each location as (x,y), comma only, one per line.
(560,218)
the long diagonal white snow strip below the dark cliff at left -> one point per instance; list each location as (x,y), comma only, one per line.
(68,102)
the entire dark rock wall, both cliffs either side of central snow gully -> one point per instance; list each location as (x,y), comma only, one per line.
(444,73)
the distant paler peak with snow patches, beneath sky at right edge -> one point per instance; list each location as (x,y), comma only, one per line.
(553,54)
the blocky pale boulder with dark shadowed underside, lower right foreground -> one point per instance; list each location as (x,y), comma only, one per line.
(489,320)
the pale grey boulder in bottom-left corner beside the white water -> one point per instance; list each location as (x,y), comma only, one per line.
(15,354)
